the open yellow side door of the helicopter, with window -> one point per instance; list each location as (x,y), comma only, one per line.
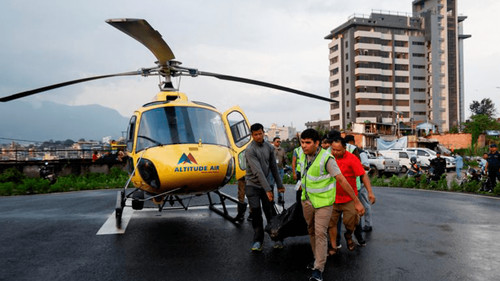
(238,130)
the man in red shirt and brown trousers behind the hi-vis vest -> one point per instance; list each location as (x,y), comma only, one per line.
(351,167)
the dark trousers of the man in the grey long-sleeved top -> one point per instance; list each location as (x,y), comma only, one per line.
(257,196)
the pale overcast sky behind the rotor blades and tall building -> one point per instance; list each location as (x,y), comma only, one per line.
(280,41)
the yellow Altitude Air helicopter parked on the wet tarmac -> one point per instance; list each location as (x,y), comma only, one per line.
(178,148)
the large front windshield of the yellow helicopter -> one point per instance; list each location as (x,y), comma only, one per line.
(180,125)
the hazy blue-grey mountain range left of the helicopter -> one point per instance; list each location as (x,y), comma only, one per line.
(45,121)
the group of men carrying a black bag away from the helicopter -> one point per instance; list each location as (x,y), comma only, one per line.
(332,189)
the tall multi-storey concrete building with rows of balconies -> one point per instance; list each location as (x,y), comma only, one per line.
(390,67)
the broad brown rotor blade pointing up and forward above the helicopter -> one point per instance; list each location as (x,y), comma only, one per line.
(141,31)
